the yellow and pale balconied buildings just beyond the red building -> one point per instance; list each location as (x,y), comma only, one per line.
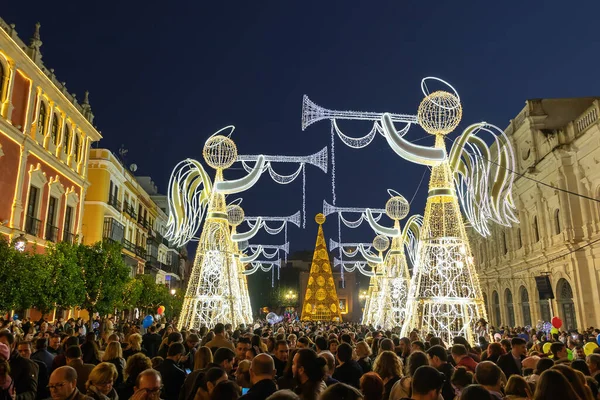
(117,207)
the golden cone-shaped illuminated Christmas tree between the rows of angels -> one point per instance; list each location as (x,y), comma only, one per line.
(320,301)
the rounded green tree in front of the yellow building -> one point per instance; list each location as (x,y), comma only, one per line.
(104,275)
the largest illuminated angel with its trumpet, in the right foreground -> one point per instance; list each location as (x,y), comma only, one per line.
(445,297)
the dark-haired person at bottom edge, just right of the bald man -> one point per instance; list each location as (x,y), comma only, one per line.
(308,370)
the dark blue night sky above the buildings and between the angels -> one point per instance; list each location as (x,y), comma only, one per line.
(163,76)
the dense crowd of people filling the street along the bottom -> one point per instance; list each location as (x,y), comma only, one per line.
(291,360)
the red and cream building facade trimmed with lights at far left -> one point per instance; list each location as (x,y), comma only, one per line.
(45,138)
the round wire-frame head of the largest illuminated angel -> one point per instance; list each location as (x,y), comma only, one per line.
(439,113)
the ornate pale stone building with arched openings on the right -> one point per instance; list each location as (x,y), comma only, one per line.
(557,142)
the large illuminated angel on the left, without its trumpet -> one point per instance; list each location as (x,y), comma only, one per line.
(213,293)
